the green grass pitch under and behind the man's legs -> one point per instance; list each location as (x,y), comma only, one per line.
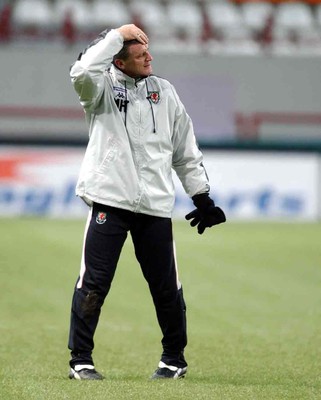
(253,294)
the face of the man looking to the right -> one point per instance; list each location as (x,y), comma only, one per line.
(138,63)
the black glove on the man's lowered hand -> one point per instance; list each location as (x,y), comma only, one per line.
(206,213)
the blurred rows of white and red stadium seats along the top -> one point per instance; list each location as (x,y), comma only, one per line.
(205,25)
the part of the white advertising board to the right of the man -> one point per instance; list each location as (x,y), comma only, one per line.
(263,186)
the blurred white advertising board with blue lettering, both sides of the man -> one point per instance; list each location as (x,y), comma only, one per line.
(247,185)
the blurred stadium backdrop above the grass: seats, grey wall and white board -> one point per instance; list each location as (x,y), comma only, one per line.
(249,80)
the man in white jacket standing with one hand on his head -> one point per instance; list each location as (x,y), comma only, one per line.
(138,131)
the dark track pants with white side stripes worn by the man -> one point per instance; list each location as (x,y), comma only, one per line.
(105,233)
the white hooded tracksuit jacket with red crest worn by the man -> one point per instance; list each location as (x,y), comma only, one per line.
(138,131)
